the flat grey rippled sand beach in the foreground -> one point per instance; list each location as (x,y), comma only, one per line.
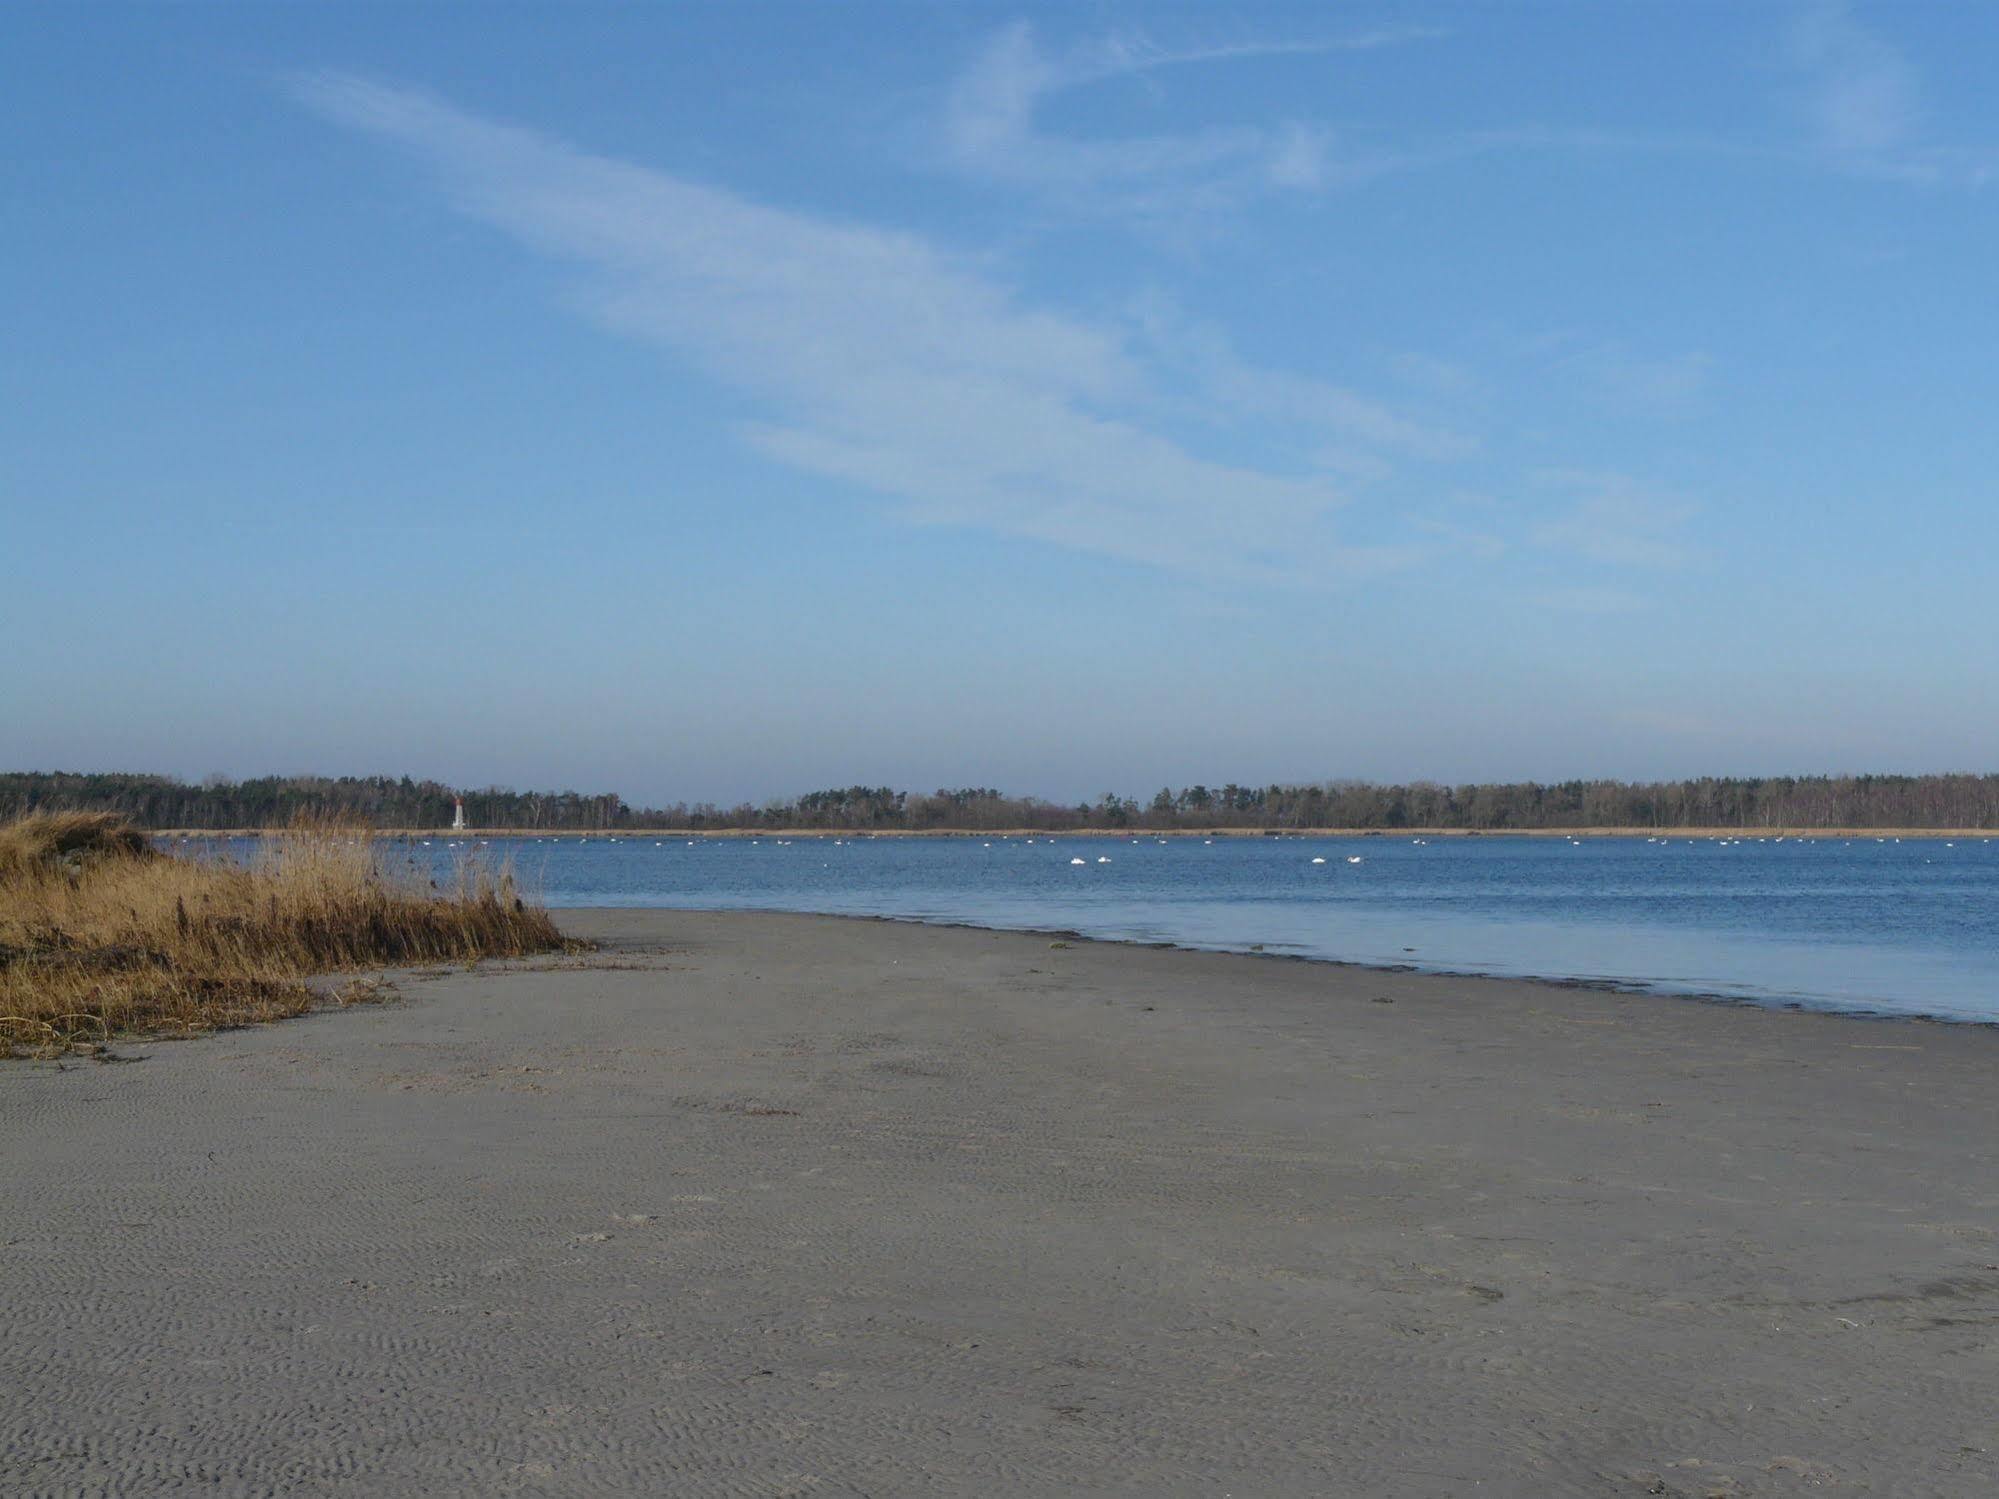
(801,1206)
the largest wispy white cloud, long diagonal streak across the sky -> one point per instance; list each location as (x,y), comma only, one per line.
(889,363)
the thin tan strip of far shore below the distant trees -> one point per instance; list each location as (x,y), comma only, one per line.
(611,834)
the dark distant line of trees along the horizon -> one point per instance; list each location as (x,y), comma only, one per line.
(385,802)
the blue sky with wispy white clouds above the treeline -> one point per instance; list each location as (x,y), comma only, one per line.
(717,403)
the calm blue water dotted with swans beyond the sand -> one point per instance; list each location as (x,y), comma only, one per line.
(1890,926)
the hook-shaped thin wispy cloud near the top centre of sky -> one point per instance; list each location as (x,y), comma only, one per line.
(993,127)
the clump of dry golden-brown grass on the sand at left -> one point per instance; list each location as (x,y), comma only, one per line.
(105,936)
